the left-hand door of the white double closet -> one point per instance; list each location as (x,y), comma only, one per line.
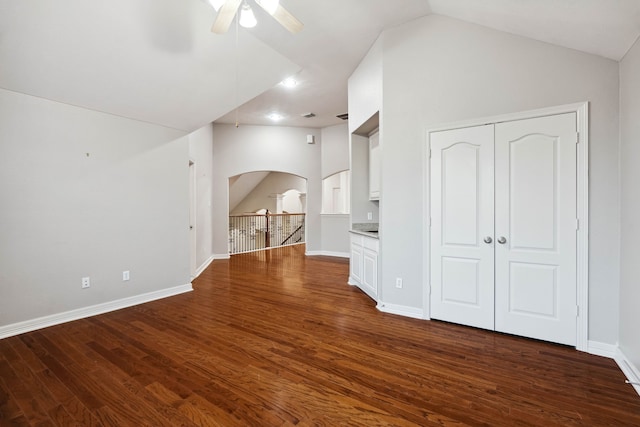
(462,275)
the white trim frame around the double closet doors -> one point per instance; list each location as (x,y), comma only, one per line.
(582,205)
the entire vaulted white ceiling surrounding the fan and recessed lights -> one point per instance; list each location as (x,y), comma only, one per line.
(157,61)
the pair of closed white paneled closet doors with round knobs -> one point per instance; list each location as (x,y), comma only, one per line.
(503,227)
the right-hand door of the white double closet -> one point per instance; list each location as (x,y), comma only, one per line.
(535,251)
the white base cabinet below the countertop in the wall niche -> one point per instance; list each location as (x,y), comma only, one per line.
(364,264)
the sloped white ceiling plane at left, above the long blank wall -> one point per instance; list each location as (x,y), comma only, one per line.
(150,60)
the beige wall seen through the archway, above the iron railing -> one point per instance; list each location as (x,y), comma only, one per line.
(262,196)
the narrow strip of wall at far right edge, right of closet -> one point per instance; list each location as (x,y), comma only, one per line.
(630,205)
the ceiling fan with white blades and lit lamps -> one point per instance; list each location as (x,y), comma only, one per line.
(227,10)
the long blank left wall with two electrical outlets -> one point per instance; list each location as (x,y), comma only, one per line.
(86,194)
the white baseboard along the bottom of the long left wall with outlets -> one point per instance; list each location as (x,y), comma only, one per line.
(81,313)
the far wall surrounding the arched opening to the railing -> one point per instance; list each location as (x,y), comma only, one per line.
(260,148)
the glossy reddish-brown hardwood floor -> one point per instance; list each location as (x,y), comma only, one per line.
(274,338)
